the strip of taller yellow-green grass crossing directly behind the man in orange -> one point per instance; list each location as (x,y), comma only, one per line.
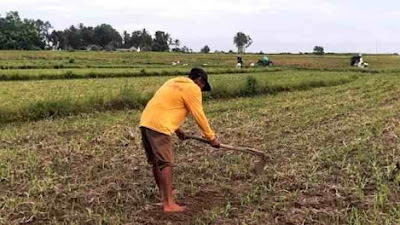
(101,95)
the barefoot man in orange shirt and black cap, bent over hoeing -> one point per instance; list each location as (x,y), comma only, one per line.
(163,116)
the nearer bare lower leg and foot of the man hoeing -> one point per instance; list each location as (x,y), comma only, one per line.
(166,190)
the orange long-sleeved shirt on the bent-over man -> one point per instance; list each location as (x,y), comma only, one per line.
(168,108)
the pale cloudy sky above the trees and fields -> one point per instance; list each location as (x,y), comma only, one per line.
(274,25)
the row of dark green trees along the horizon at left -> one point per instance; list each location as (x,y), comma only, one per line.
(28,34)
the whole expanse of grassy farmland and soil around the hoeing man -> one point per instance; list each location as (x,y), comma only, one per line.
(330,131)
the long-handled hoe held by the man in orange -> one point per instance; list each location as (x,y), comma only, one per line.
(258,166)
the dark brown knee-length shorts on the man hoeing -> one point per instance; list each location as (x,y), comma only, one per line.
(158,147)
